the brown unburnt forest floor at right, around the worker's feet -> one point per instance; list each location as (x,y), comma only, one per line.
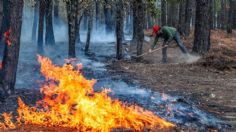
(209,81)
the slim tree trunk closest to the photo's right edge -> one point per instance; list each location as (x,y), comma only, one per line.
(230,17)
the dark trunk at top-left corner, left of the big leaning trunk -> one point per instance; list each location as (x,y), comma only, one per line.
(5,18)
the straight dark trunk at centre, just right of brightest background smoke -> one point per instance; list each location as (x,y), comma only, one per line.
(119,28)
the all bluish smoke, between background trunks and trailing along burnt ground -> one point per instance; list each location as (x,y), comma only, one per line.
(28,72)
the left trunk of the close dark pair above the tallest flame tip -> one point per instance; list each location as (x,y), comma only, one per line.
(42,5)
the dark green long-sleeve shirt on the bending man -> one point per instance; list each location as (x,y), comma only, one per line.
(167,33)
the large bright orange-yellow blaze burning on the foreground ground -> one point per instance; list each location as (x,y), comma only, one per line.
(70,101)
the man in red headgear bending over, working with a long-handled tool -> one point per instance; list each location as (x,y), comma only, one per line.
(168,34)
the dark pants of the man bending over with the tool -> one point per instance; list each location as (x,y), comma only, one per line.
(179,43)
